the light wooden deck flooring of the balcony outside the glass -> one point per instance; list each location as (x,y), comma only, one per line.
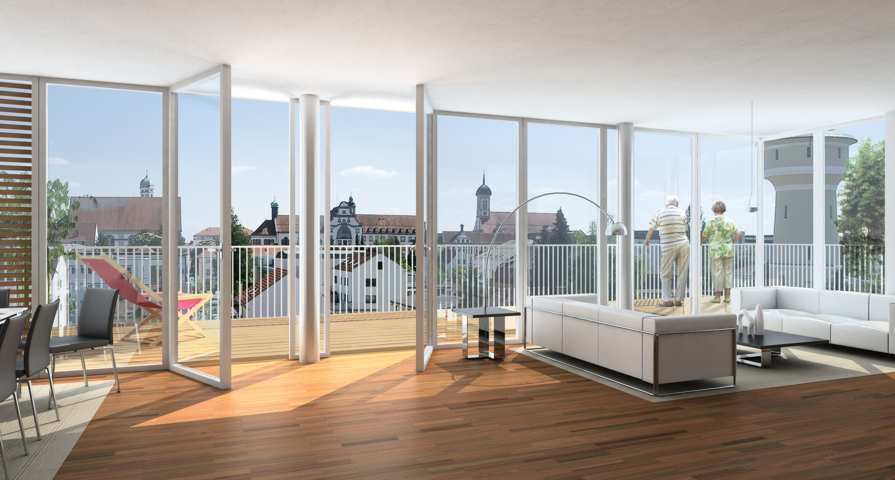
(267,338)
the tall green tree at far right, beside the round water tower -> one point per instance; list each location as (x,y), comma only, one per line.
(862,208)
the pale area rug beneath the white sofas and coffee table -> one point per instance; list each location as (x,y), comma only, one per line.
(799,365)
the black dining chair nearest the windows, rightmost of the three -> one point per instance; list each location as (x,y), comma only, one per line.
(94,329)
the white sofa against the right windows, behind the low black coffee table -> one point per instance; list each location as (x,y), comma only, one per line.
(858,320)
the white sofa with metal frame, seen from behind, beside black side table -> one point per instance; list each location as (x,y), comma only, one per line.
(657,350)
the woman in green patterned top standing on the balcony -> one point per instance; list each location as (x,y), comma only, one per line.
(721,233)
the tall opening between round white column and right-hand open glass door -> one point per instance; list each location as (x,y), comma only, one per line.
(372,223)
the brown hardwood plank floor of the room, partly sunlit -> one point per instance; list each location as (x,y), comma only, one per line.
(371,416)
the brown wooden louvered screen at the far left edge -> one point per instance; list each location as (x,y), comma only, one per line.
(16,130)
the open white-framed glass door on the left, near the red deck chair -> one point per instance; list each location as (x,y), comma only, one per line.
(199,178)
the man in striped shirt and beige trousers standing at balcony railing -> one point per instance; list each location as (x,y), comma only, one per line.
(671,222)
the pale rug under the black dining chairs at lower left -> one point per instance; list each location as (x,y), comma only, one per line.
(77,406)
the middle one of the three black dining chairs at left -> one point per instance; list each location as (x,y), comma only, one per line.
(36,357)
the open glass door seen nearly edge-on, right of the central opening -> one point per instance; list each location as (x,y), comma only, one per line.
(425,294)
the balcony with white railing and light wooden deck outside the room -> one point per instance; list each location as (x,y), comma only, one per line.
(469,276)
